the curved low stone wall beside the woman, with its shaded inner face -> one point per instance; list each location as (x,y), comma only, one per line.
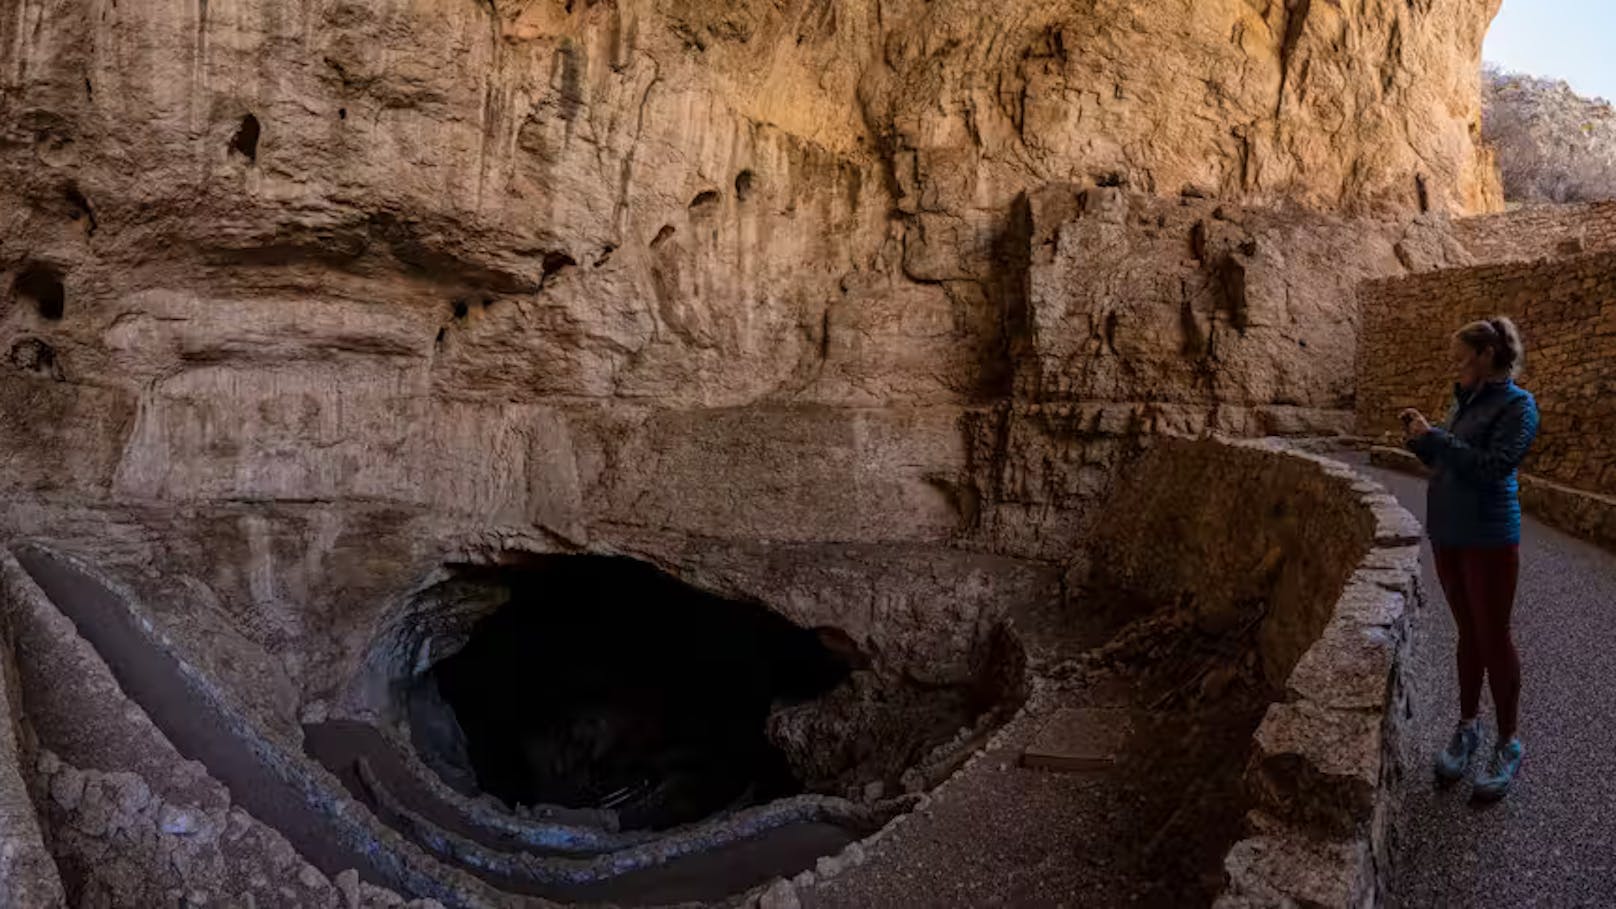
(1218,526)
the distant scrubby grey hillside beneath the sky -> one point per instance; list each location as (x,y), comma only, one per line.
(1554,145)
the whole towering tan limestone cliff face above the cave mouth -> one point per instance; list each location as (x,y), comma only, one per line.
(633,274)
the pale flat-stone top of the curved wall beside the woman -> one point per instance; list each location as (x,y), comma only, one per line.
(1328,756)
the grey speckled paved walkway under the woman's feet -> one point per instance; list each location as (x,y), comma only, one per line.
(1554,840)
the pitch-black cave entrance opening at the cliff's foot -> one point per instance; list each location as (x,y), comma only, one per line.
(605,683)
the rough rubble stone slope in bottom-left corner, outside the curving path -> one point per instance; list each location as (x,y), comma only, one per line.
(130,821)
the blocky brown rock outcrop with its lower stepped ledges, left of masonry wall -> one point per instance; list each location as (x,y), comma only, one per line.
(1166,318)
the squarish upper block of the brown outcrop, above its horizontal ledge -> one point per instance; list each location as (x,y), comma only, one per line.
(1195,307)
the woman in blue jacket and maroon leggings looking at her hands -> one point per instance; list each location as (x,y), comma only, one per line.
(1475,525)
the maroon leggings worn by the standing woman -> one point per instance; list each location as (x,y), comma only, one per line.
(1481,588)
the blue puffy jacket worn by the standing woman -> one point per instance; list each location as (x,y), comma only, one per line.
(1475,499)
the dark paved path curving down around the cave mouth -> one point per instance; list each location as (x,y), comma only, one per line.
(694,865)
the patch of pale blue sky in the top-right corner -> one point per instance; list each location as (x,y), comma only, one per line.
(1560,40)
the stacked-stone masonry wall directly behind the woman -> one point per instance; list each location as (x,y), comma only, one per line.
(1567,311)
